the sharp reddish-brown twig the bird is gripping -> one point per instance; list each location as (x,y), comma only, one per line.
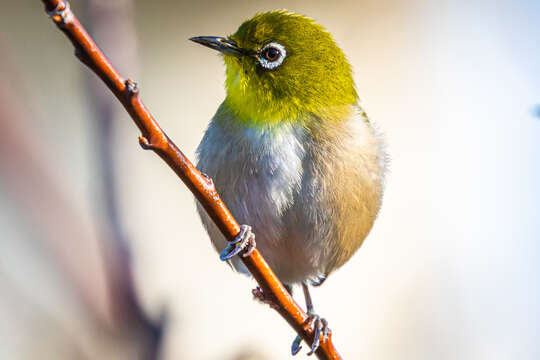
(154,138)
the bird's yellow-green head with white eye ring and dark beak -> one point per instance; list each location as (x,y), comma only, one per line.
(280,66)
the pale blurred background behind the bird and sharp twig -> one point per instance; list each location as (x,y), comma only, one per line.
(102,254)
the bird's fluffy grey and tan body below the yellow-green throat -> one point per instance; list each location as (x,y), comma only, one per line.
(311,201)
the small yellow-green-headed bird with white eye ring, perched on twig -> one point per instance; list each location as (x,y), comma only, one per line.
(291,152)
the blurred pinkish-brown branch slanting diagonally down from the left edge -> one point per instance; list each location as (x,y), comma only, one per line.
(98,273)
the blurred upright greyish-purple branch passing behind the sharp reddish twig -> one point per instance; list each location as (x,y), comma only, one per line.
(111,24)
